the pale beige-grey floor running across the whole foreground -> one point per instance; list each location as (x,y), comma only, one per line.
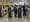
(13,19)
